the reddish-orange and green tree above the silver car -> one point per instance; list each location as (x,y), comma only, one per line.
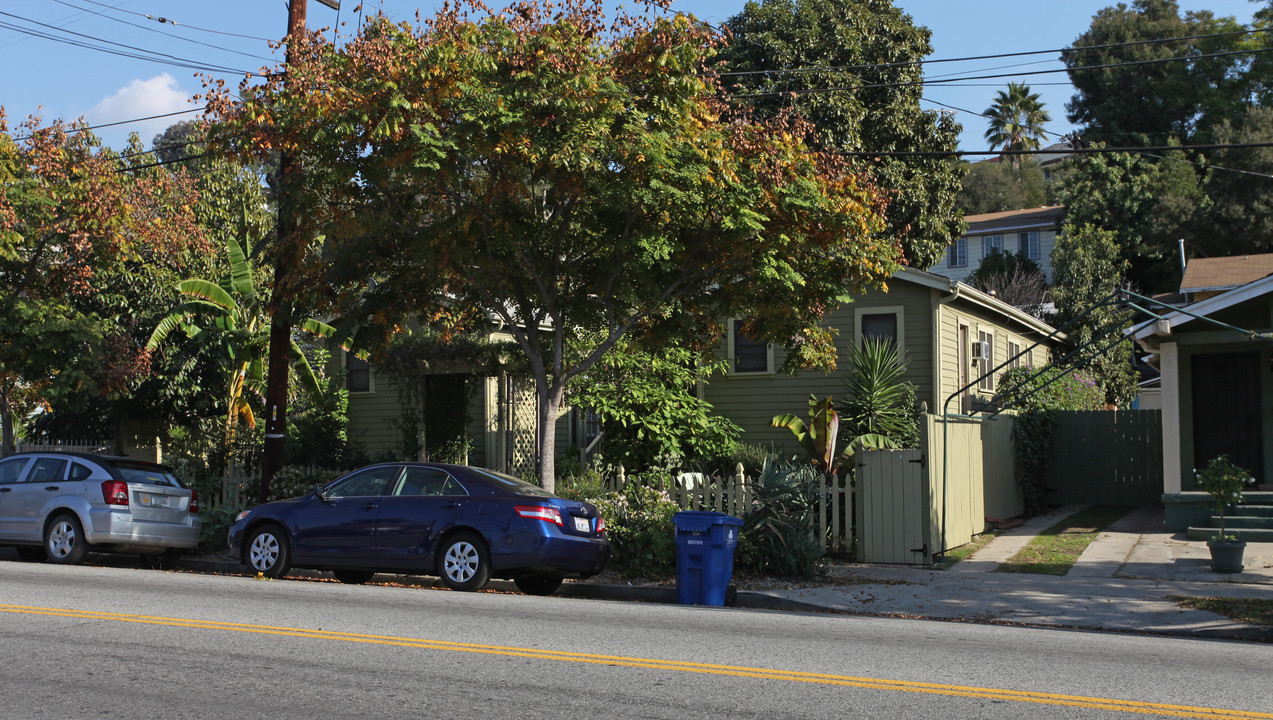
(74,232)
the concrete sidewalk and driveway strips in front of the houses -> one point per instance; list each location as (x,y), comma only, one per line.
(1122,583)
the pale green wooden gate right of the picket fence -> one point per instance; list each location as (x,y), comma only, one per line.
(893,508)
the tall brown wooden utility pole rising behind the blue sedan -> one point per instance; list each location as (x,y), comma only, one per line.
(288,253)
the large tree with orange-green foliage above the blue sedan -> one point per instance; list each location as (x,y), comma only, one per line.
(558,176)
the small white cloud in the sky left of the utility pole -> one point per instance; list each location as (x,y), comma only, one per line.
(161,95)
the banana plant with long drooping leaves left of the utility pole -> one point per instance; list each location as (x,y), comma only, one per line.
(236,311)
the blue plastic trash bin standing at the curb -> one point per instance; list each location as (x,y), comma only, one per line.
(705,557)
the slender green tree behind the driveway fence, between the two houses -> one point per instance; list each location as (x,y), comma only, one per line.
(1087,269)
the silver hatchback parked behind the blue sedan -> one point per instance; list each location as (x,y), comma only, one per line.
(64,506)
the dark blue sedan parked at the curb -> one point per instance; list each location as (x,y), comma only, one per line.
(461,523)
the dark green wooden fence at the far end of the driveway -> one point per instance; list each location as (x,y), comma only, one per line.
(1107,457)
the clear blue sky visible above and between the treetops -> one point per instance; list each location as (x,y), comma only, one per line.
(62,81)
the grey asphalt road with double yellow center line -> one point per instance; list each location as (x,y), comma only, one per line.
(123,643)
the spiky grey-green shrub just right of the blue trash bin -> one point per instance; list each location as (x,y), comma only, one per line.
(780,534)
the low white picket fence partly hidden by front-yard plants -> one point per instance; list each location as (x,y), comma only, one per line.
(735,494)
